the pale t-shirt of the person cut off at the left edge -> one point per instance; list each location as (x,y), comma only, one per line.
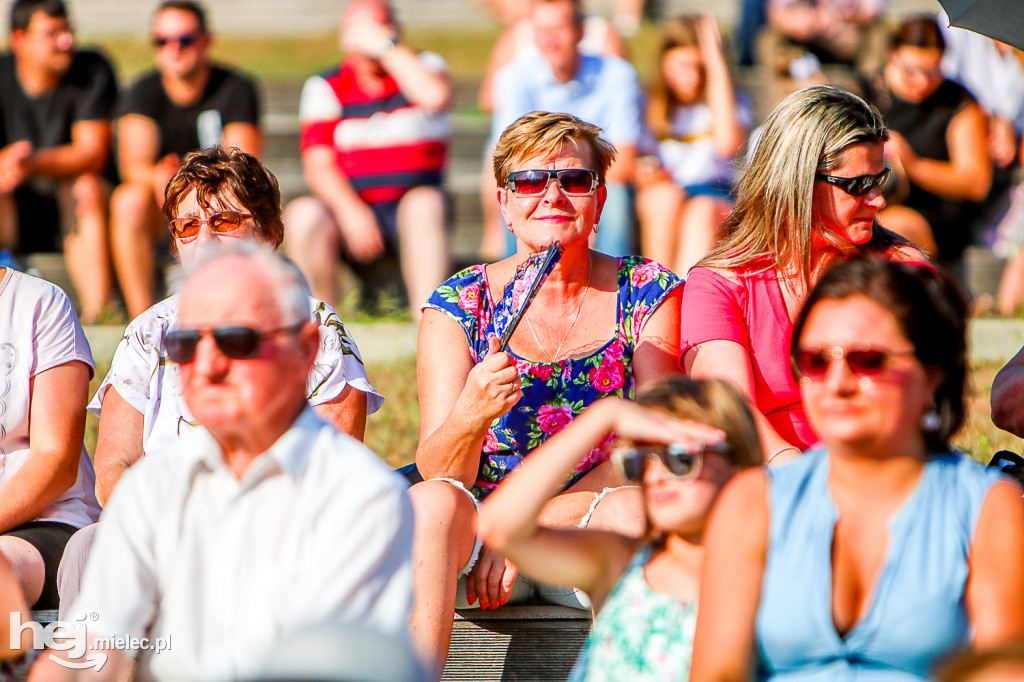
(40,332)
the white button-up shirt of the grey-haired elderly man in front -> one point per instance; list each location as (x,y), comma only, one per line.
(318,530)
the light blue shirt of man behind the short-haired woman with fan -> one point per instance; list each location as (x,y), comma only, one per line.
(606,92)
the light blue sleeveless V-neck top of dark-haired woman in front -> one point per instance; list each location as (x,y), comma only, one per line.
(918,612)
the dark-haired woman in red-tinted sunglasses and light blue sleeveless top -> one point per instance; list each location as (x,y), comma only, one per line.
(876,556)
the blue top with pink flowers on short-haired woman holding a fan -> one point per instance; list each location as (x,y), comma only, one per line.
(553,394)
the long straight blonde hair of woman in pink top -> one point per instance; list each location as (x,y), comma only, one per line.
(807,134)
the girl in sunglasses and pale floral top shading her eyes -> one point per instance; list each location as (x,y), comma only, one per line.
(645,590)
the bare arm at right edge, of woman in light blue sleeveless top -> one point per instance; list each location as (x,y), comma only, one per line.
(995,598)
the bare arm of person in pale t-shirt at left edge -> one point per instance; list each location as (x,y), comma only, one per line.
(57,427)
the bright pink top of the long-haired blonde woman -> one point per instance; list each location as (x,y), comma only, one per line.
(752,313)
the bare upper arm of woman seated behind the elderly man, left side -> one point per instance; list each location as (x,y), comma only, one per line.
(119,444)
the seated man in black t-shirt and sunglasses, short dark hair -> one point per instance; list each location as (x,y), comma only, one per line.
(186,104)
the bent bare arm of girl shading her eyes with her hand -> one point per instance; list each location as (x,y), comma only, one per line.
(590,561)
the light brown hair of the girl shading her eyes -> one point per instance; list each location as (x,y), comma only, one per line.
(710,402)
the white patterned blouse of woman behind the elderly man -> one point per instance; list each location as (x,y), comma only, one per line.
(145,377)
